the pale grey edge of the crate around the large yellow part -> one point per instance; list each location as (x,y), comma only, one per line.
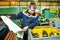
(44,38)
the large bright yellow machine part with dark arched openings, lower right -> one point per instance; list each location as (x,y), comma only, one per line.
(45,31)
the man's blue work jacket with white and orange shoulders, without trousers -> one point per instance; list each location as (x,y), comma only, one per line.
(26,20)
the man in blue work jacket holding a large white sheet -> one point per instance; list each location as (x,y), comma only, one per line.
(29,19)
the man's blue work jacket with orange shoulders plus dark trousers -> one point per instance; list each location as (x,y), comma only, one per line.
(27,20)
